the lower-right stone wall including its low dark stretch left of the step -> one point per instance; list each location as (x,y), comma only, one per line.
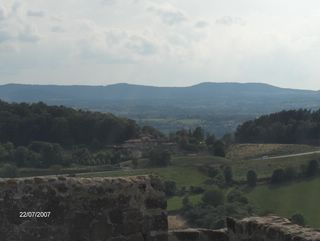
(270,228)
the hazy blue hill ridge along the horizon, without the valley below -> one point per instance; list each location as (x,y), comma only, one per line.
(194,94)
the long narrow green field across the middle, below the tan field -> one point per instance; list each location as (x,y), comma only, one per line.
(185,169)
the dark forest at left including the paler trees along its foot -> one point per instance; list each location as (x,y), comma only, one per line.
(42,136)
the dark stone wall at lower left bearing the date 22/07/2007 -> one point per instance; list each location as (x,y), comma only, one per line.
(98,209)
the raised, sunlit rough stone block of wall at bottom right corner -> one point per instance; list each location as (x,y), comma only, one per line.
(269,229)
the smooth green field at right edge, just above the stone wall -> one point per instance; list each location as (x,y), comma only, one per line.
(285,200)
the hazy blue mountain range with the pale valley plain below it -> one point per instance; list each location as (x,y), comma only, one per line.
(219,107)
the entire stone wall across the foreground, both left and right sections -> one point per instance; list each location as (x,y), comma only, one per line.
(116,209)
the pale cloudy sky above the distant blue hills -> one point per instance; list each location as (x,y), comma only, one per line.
(160,42)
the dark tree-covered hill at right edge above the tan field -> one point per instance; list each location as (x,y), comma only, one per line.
(292,127)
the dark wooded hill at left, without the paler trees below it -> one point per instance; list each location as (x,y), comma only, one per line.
(23,123)
